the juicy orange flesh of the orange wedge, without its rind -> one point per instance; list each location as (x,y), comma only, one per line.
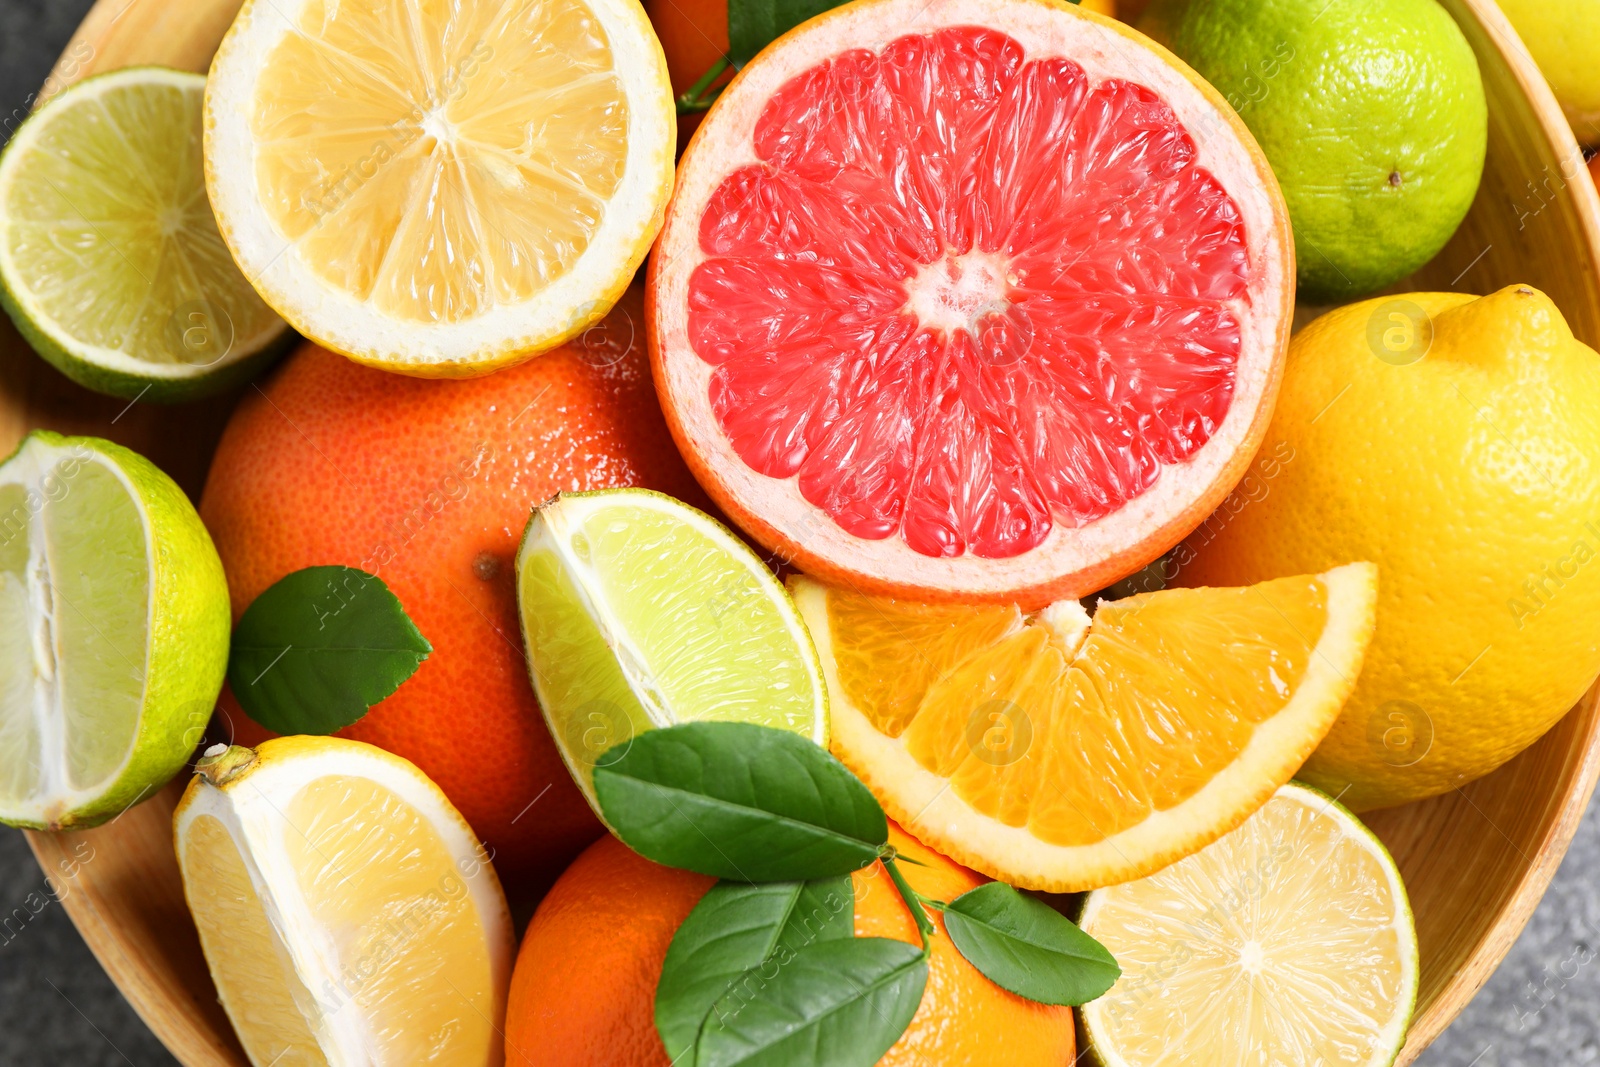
(1162,697)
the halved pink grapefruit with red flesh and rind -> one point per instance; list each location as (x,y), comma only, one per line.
(970,300)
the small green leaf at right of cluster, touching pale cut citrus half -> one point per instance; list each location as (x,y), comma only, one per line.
(1028,948)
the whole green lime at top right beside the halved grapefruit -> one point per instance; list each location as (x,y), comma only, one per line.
(1372,114)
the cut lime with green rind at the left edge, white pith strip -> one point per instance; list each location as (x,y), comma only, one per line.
(114,623)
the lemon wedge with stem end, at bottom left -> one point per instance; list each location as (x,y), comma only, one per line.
(345,908)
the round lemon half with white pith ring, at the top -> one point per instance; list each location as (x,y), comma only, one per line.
(439,190)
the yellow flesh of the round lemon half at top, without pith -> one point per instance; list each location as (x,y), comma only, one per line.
(388,215)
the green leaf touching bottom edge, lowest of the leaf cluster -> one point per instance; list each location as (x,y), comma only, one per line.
(842,1004)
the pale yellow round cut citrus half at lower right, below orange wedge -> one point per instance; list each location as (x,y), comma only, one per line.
(1287,941)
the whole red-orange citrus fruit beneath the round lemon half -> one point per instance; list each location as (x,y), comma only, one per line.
(430,484)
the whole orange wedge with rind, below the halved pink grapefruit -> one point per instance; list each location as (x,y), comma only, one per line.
(1062,753)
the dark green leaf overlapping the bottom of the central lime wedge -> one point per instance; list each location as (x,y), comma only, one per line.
(738,802)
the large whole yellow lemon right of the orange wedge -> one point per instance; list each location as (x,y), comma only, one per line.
(1455,442)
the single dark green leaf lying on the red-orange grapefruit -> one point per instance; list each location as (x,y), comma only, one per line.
(319,649)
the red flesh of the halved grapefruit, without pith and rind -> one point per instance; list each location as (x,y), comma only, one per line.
(964,295)
